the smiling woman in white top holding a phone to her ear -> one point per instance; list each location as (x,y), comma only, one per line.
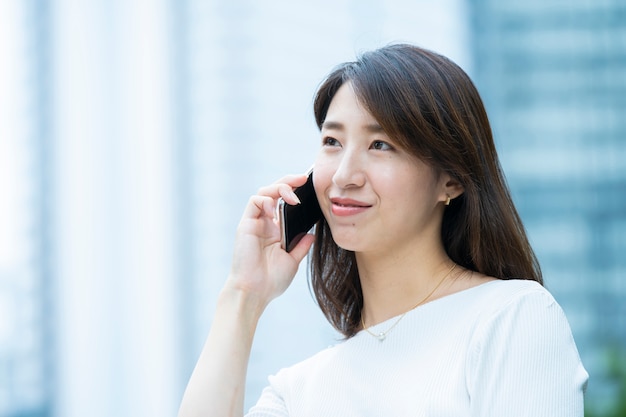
(421,261)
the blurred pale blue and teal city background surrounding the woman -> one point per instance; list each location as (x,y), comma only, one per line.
(132,133)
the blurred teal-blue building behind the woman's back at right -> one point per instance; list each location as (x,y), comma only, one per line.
(553,77)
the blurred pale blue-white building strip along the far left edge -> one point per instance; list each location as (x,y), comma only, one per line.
(25,287)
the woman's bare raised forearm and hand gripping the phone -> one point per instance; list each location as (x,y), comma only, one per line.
(260,272)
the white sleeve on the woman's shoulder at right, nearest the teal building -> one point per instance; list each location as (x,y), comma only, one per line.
(523,362)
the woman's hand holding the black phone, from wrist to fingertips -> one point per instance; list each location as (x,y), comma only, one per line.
(261,268)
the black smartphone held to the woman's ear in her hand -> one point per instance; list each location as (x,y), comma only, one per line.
(296,221)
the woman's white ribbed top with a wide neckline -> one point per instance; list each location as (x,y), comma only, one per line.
(501,349)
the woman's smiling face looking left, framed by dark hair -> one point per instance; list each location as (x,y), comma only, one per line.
(374,195)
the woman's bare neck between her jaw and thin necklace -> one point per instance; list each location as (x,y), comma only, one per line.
(394,283)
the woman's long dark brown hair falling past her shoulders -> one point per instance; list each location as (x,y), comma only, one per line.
(431,108)
